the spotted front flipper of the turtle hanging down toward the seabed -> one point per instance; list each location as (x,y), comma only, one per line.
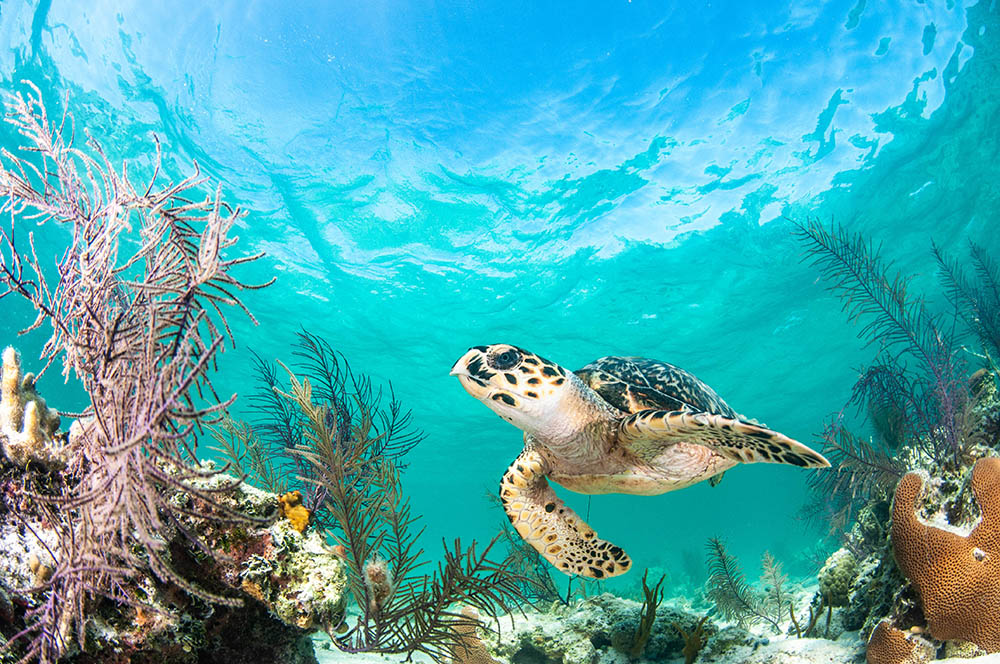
(556,531)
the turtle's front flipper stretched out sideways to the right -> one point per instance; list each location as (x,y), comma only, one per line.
(647,432)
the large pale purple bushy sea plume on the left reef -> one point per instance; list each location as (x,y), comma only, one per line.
(137,313)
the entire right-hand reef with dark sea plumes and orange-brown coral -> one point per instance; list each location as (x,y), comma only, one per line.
(935,416)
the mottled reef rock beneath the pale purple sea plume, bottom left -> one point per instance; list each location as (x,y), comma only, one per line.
(290,583)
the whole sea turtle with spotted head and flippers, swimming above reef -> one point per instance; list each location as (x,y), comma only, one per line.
(618,425)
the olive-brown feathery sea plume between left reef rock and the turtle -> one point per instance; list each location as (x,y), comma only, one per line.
(401,611)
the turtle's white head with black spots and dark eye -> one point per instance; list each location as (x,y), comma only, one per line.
(519,386)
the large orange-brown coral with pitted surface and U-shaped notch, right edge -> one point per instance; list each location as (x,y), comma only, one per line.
(955,576)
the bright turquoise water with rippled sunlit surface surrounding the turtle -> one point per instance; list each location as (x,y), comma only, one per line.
(579,181)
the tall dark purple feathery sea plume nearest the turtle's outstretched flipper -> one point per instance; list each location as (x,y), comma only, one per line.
(914,392)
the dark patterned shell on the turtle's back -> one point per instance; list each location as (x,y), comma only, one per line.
(631,384)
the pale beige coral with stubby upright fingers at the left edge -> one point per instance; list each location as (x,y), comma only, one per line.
(27,426)
